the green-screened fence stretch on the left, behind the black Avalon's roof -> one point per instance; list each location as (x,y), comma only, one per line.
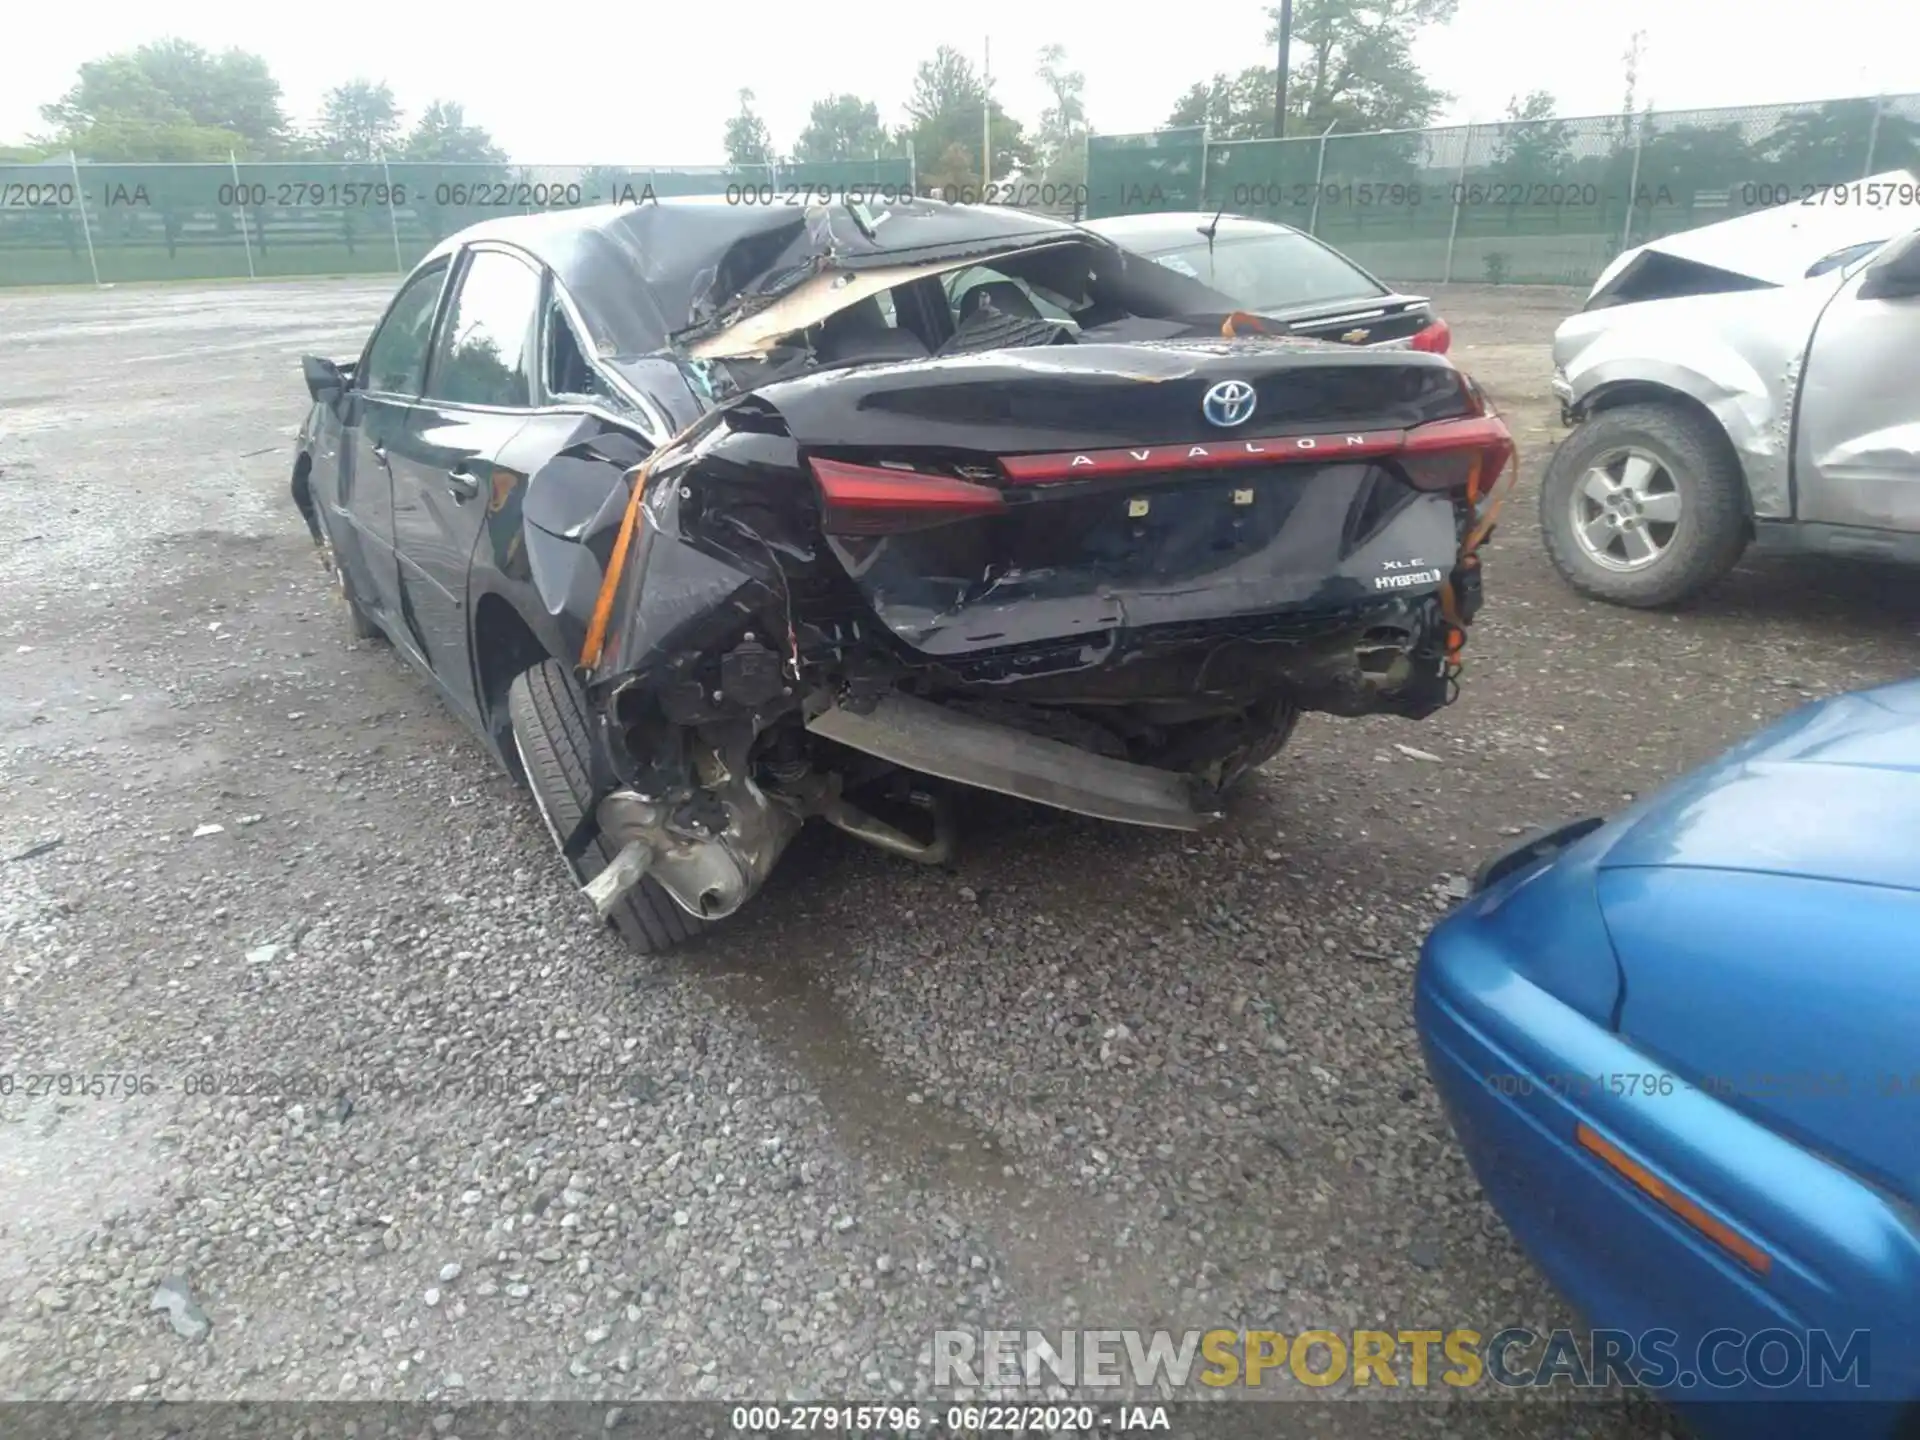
(78,224)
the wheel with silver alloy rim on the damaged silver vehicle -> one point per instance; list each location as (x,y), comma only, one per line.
(1608,496)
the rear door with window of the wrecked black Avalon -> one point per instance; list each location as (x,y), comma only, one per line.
(479,395)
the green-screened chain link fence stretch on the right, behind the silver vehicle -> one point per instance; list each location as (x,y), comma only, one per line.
(1533,203)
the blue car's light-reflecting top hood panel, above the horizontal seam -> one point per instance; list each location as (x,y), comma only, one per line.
(1831,792)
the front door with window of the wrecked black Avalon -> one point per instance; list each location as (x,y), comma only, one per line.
(385,387)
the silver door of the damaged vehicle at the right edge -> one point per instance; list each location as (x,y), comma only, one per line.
(1858,431)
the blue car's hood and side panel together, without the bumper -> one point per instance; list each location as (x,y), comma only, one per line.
(1764,915)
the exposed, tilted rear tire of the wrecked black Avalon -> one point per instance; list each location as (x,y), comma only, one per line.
(554,742)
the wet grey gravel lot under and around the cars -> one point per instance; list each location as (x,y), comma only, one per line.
(1088,1078)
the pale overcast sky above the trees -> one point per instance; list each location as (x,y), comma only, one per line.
(654,84)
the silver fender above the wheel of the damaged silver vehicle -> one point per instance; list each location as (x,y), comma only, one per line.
(1737,354)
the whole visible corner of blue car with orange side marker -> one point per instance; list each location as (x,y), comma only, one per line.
(1723,988)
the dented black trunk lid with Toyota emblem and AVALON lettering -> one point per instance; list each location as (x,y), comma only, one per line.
(1078,492)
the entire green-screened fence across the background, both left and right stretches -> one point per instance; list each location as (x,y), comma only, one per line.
(1543,203)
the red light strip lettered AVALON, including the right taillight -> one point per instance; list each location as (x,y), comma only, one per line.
(1470,433)
